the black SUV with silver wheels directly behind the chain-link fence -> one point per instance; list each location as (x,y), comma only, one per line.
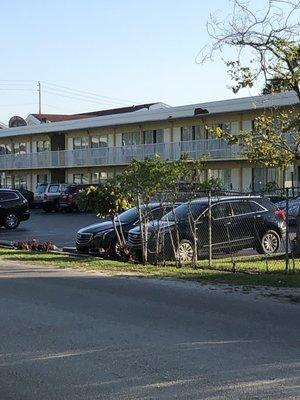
(237,223)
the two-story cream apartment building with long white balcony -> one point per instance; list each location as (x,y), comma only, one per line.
(92,148)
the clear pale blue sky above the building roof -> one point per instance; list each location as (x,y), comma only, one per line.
(133,51)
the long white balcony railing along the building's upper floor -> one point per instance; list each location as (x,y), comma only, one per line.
(212,149)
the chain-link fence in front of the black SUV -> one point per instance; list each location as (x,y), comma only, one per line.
(230,231)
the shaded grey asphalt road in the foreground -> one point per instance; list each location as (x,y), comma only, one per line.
(68,335)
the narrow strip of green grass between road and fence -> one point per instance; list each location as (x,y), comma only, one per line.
(250,271)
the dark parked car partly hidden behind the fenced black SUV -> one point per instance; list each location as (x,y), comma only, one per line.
(101,238)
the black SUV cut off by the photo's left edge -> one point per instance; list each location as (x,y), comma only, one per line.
(13,208)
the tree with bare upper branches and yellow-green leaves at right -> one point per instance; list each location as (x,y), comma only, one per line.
(268,48)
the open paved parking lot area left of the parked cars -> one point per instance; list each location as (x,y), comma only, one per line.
(60,228)
